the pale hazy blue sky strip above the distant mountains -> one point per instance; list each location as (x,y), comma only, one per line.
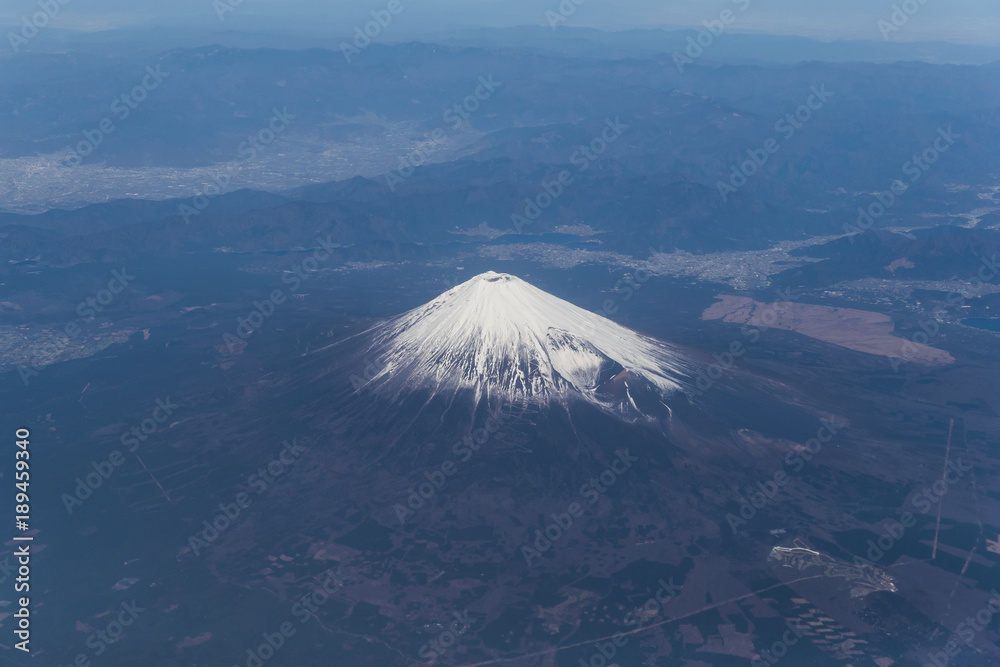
(976,21)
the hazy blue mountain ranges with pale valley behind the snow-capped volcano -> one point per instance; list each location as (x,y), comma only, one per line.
(711,158)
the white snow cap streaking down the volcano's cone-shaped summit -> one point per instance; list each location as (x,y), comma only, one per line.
(504,338)
